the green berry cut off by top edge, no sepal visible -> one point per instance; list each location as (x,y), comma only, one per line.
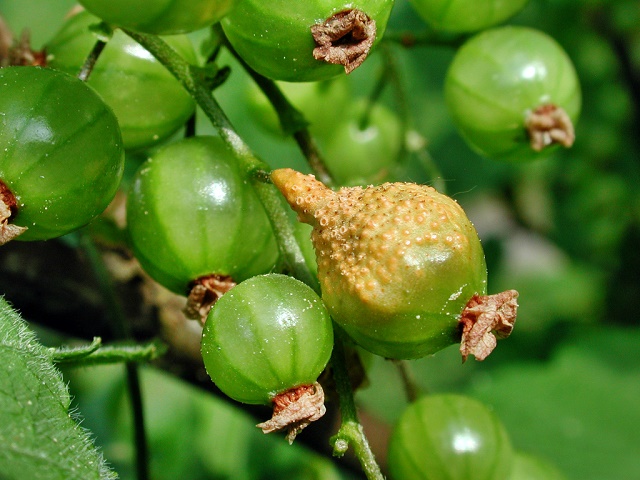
(160,17)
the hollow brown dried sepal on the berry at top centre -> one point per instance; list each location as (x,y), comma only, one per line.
(344,38)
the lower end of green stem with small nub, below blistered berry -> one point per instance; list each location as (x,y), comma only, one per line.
(351,432)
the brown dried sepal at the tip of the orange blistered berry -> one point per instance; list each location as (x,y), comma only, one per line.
(485,319)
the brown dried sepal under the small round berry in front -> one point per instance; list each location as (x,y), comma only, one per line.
(294,409)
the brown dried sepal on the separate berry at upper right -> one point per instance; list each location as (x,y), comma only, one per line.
(549,124)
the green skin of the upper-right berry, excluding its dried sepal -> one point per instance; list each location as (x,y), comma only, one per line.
(497,78)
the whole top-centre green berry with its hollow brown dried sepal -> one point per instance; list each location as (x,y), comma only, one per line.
(306,41)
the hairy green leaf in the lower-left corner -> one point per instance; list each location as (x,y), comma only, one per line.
(39,438)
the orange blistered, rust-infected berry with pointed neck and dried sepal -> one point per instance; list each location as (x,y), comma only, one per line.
(401,267)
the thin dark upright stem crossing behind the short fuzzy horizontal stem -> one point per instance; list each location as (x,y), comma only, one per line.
(120,325)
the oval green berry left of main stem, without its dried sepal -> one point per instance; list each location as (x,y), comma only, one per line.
(191,213)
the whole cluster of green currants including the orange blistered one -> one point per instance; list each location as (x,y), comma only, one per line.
(401,269)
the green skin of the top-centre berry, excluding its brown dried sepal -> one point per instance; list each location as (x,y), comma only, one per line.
(274,37)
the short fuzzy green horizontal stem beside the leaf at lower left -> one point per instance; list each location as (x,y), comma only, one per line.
(96,354)
